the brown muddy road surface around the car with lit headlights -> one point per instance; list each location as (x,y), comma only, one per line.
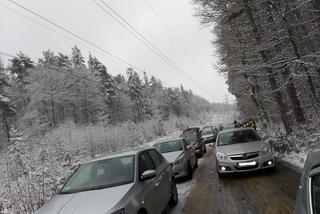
(260,192)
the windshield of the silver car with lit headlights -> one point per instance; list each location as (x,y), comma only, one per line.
(234,137)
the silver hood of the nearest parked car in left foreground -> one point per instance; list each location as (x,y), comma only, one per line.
(96,201)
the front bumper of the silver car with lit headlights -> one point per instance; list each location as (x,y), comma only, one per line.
(261,162)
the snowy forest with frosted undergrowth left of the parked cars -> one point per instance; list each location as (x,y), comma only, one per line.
(61,110)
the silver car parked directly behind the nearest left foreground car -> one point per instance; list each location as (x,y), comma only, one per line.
(181,154)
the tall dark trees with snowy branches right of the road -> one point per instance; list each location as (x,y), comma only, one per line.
(269,51)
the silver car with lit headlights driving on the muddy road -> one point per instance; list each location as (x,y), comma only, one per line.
(240,150)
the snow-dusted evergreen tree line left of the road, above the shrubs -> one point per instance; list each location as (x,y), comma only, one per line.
(39,96)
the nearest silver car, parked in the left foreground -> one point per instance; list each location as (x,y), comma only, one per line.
(134,182)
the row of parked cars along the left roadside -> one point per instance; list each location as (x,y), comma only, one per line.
(141,181)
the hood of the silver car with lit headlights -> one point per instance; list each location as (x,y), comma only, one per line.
(241,148)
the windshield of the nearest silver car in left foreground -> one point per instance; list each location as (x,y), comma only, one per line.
(101,174)
